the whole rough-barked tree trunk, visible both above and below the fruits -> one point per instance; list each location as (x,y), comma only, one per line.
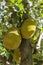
(26,49)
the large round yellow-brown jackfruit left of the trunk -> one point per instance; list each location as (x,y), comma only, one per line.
(12,39)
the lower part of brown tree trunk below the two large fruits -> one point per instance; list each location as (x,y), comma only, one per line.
(26,52)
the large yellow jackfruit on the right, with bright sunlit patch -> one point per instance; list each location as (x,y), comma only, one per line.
(28,28)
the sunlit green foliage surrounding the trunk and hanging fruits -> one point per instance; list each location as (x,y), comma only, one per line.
(12,14)
